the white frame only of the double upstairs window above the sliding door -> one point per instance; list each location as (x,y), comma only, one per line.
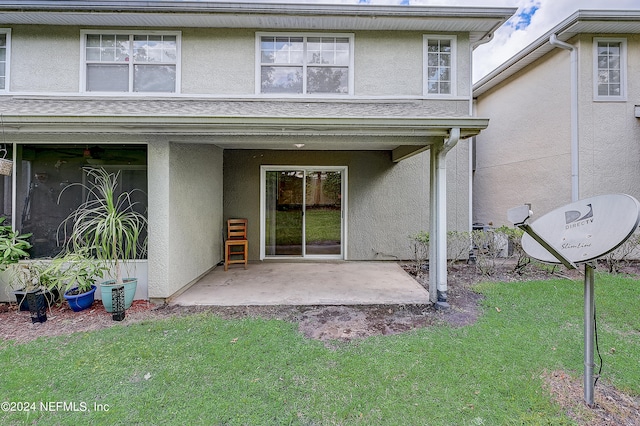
(258,70)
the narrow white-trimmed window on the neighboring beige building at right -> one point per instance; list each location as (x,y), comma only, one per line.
(610,69)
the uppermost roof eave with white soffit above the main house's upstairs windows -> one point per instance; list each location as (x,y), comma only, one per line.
(479,22)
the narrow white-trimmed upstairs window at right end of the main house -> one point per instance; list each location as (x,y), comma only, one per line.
(440,65)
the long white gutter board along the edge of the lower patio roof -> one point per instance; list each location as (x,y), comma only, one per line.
(253,126)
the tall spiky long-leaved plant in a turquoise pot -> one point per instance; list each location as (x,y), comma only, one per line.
(108,224)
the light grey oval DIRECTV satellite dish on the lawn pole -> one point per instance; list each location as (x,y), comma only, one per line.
(586,229)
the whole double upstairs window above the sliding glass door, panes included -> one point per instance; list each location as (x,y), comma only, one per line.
(305,64)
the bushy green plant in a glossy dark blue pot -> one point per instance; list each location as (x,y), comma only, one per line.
(74,275)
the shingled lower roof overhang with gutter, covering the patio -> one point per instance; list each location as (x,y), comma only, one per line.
(233,124)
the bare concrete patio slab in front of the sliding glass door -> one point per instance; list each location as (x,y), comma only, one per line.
(323,283)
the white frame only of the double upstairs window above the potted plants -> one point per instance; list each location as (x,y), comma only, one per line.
(83,60)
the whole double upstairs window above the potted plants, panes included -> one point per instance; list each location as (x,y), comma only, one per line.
(131,62)
